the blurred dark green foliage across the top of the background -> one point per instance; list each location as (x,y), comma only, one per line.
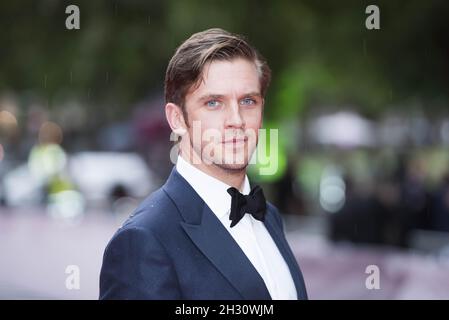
(320,51)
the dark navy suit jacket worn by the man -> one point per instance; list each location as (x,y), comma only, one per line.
(174,247)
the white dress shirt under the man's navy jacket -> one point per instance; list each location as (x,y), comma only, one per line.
(250,234)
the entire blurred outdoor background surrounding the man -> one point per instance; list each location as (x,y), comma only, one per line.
(363,119)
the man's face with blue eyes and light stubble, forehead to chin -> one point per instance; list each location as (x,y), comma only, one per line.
(224,114)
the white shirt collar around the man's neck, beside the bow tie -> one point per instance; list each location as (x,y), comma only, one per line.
(211,190)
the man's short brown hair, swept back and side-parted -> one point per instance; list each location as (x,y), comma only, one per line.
(185,67)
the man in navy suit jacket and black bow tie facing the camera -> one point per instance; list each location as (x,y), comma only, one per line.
(204,234)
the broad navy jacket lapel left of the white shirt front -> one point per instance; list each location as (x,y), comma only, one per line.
(214,241)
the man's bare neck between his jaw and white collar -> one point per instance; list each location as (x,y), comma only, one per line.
(231,177)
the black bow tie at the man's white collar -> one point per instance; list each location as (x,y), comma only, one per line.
(253,203)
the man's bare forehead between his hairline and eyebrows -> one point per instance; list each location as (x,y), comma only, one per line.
(238,76)
